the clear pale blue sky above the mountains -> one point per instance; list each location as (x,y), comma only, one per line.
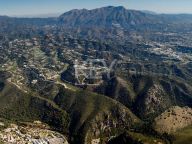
(51,7)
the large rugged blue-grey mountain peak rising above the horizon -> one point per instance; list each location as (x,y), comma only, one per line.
(107,17)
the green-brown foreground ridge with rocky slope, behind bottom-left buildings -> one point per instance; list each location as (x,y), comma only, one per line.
(81,115)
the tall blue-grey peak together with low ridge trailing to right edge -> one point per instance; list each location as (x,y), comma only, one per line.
(119,16)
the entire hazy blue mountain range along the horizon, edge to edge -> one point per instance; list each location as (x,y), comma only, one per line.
(97,20)
